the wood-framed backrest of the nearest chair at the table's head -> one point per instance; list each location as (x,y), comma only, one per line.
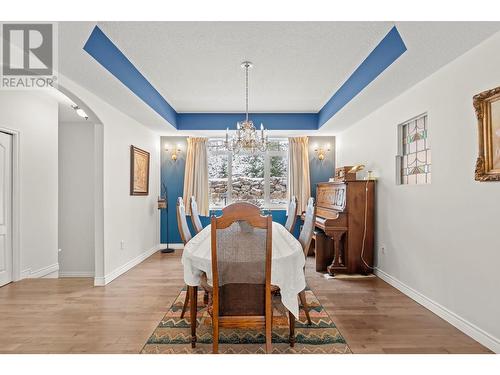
(241,261)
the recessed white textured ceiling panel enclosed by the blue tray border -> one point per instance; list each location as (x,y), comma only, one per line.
(197,65)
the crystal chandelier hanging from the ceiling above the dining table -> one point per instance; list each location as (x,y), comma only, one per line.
(246,138)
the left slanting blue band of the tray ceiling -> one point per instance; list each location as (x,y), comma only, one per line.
(106,53)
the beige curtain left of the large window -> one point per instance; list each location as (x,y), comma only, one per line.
(196,175)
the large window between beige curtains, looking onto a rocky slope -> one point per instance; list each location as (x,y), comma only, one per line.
(260,178)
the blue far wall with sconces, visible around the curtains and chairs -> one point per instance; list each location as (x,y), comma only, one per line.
(172,175)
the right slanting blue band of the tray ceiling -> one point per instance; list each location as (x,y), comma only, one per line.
(386,52)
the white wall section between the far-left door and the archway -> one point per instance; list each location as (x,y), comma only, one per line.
(34,115)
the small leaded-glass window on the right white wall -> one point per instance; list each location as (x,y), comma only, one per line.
(414,159)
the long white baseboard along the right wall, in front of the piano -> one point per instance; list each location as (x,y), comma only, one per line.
(470,329)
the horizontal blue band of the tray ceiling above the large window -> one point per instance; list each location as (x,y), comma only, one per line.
(271,121)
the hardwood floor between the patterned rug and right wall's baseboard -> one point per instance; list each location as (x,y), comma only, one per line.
(374,317)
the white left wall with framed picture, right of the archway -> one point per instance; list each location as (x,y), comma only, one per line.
(131,219)
